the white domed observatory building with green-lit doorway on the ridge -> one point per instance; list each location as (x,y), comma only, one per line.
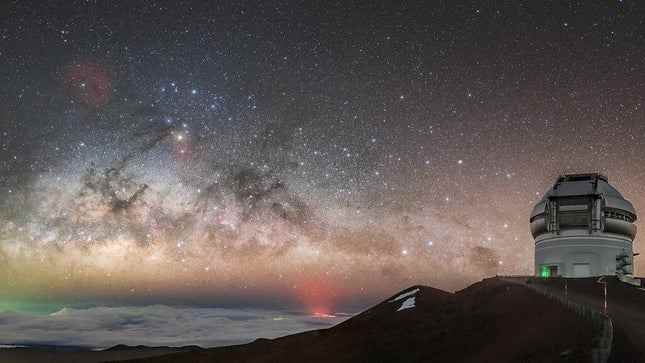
(583,227)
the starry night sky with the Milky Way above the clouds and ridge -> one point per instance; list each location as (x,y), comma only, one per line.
(314,156)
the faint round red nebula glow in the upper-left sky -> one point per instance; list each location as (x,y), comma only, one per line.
(89,82)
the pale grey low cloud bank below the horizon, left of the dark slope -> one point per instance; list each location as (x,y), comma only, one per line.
(154,325)
